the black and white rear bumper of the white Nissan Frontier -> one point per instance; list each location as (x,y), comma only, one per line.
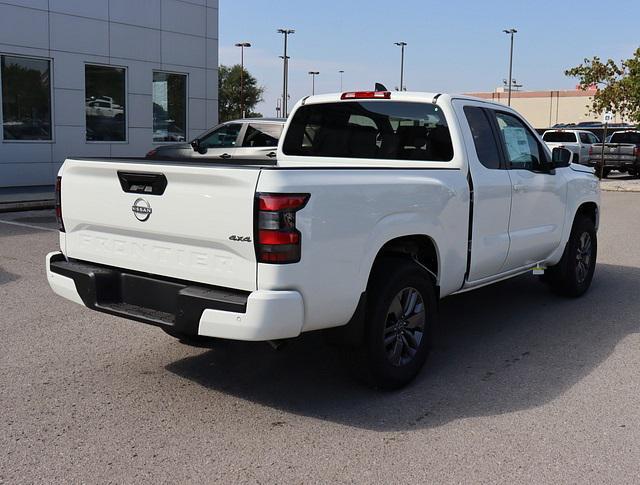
(186,308)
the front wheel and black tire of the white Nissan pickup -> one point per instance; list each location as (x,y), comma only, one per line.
(573,274)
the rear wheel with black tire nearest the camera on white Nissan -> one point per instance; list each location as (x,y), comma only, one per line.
(397,339)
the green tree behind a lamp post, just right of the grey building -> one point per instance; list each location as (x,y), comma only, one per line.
(229,88)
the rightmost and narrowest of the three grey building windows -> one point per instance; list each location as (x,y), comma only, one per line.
(169,107)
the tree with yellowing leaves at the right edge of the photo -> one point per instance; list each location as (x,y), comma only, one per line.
(618,85)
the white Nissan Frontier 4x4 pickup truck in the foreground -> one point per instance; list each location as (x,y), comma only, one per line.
(377,205)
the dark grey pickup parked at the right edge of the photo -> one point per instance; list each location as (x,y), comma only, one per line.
(621,153)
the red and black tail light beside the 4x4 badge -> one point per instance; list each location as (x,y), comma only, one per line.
(278,241)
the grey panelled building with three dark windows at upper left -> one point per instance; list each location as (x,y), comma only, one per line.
(101,78)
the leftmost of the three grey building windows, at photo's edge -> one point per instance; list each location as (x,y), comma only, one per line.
(26,98)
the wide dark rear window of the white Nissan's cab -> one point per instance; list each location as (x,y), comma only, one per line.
(388,130)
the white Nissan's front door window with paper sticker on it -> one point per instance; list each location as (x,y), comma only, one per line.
(520,146)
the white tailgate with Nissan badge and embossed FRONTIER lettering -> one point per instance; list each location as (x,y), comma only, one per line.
(116,214)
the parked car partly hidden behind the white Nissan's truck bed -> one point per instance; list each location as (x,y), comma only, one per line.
(253,138)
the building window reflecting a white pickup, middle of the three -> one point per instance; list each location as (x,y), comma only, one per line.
(105,103)
